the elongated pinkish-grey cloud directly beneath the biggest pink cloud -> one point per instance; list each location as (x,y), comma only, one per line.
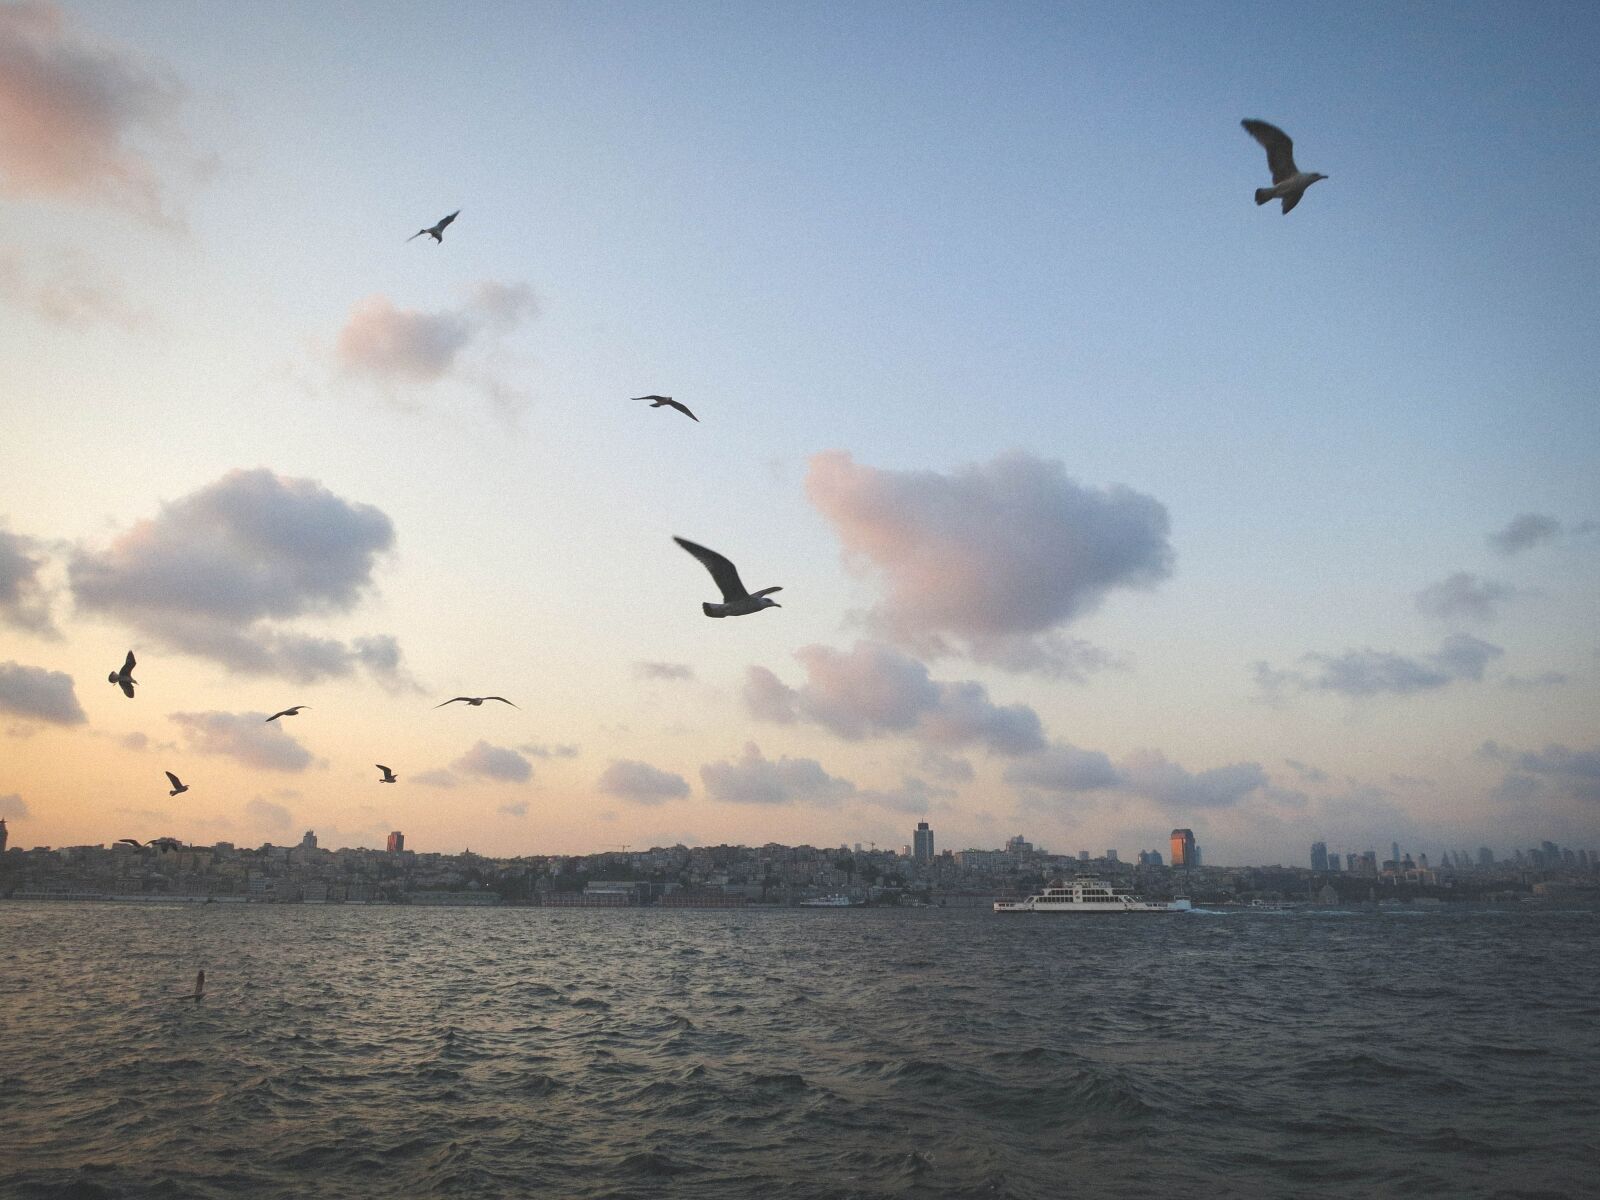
(878,690)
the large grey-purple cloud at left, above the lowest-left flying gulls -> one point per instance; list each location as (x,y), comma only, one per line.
(212,574)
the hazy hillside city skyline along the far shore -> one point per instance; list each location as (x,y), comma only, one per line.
(727,876)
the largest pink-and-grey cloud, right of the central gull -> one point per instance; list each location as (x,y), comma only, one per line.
(993,559)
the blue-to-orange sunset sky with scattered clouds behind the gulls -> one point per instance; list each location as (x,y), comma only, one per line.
(1103,502)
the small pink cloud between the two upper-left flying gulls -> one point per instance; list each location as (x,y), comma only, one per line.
(406,348)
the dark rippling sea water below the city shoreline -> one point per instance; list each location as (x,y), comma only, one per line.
(790,1054)
